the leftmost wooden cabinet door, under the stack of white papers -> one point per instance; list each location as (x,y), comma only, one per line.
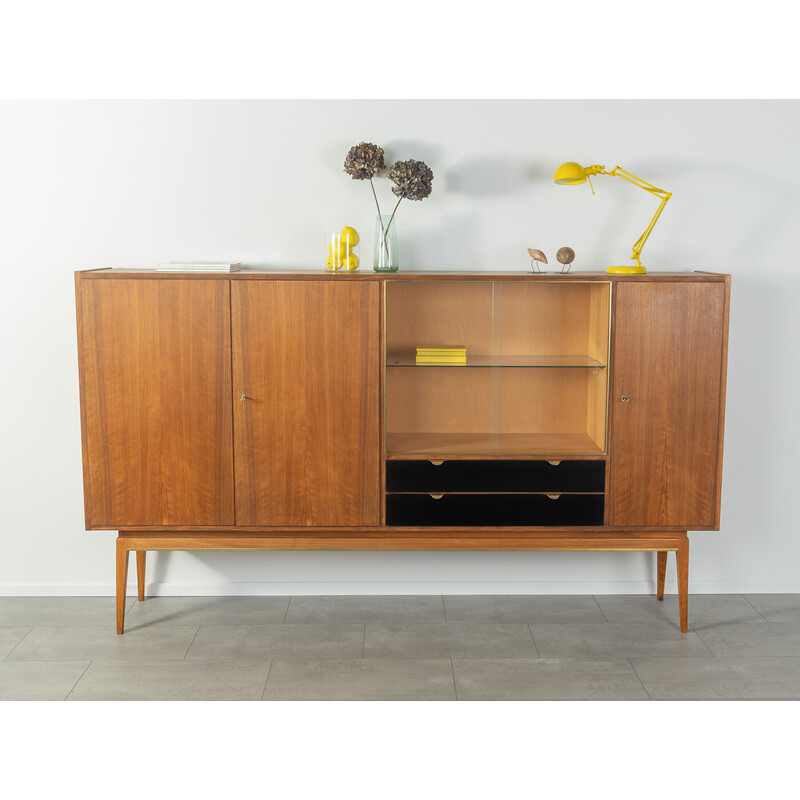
(158,440)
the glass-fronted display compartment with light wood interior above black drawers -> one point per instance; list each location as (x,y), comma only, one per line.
(533,381)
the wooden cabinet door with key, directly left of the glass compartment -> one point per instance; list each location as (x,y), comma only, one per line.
(306,372)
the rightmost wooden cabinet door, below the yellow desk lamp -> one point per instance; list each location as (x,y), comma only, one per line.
(668,360)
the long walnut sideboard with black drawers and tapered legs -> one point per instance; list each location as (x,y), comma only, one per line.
(269,410)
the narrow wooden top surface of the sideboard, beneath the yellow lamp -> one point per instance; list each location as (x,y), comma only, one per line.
(405,275)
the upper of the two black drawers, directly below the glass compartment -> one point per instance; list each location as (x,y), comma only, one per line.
(495,476)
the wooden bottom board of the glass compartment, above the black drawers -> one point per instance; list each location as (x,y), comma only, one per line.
(503,444)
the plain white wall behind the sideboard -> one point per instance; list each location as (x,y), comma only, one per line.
(130,183)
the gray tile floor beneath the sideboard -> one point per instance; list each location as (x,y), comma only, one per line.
(476,647)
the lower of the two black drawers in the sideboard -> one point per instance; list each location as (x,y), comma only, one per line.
(494,509)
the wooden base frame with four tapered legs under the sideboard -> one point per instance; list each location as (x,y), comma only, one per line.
(660,542)
